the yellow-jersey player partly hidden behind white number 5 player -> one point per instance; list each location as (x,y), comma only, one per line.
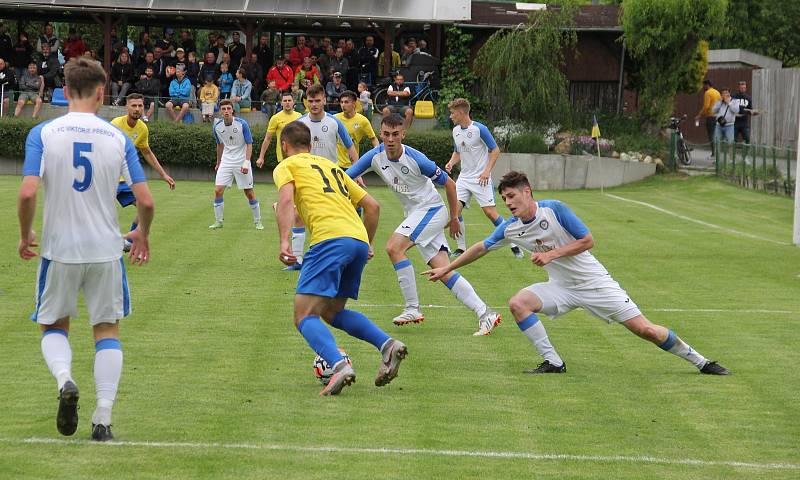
(132,125)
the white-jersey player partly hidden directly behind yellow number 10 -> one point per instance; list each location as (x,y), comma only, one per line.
(327,132)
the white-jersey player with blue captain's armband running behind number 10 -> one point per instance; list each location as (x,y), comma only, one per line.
(412,176)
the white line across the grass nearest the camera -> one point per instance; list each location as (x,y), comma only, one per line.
(633,459)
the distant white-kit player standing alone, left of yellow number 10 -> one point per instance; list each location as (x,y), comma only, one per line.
(234,150)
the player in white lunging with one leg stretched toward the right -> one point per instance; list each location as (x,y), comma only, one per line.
(560,243)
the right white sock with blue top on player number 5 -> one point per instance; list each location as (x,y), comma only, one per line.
(107,371)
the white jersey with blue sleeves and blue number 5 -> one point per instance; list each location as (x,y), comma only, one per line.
(80,158)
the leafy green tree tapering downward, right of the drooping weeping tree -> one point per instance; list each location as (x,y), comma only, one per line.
(663,38)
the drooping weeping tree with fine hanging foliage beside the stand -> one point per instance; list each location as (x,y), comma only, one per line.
(520,68)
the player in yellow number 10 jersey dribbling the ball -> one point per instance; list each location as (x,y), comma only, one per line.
(325,198)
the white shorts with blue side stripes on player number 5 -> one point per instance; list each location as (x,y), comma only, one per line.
(105,289)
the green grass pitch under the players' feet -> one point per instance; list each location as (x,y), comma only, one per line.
(217,382)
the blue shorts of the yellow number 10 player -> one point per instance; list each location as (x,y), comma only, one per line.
(333,268)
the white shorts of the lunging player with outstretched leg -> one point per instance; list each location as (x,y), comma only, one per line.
(604,299)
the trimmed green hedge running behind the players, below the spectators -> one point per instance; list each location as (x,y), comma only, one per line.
(193,144)
